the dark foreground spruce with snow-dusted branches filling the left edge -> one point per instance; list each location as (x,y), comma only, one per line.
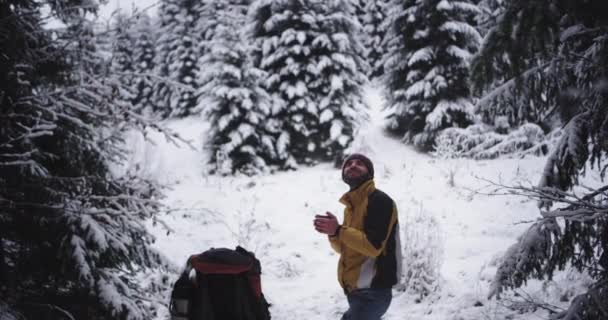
(72,235)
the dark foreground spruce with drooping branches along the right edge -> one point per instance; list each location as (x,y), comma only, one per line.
(573,46)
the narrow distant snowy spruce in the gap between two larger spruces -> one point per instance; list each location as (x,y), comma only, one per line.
(374,28)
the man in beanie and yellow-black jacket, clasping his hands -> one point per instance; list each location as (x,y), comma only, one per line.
(367,241)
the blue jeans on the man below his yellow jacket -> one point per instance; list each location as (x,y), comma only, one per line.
(367,304)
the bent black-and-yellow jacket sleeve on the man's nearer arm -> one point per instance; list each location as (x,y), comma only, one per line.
(379,221)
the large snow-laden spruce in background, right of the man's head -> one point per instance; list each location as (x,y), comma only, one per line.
(426,67)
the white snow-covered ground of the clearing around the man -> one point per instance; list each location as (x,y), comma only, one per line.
(272,215)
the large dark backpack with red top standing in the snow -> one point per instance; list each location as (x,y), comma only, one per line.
(220,284)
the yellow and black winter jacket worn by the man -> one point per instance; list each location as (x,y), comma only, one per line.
(368,240)
